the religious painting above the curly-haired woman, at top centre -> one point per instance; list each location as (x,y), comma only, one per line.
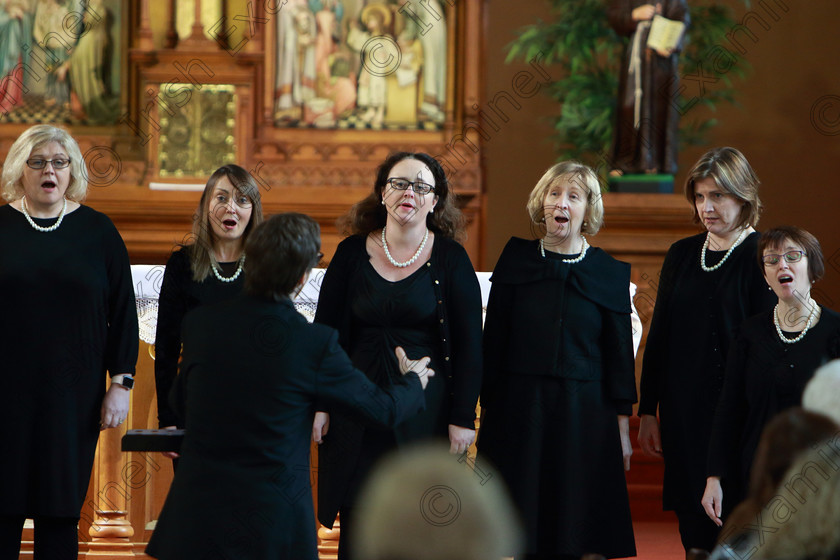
(361,64)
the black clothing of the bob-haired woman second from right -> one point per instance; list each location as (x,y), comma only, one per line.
(696,317)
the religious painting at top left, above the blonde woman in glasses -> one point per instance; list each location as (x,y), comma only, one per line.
(59,61)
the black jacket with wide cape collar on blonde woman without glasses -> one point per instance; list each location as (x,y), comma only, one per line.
(572,321)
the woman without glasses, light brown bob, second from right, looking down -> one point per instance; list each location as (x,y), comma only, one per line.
(708,285)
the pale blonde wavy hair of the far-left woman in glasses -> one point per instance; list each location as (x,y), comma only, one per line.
(35,137)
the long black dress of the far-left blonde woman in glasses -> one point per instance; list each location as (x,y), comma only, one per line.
(70,316)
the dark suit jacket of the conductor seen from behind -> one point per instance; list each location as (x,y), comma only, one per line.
(251,373)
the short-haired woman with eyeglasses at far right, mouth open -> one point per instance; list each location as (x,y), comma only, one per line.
(774,356)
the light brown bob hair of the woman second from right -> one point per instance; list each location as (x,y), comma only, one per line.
(732,173)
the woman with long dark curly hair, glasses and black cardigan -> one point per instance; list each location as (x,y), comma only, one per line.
(400,279)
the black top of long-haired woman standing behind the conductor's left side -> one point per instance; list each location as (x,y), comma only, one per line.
(179,293)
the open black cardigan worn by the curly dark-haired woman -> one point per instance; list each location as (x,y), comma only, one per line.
(459,313)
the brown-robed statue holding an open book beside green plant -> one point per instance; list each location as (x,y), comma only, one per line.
(647,113)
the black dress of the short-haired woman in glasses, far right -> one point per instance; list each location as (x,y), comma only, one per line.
(764,376)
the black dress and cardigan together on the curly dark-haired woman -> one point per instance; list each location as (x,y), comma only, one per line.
(435,312)
